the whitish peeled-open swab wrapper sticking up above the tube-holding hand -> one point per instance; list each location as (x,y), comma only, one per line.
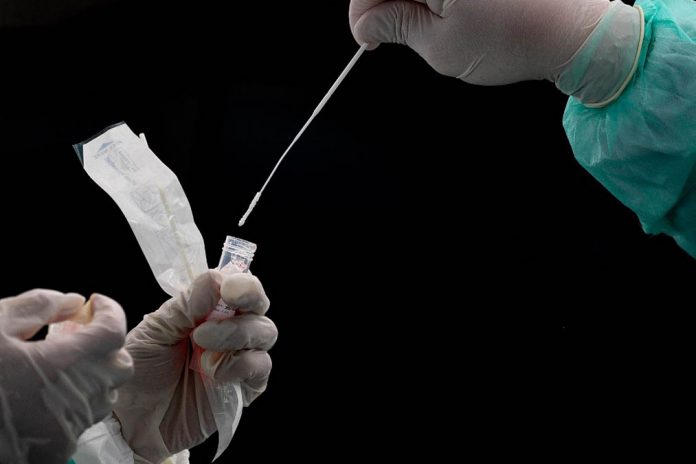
(152,199)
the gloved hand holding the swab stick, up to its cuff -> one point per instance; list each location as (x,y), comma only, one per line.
(489,42)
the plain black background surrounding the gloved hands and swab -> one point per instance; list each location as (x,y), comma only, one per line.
(431,249)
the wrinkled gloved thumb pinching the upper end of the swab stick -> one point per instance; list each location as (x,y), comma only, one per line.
(402,22)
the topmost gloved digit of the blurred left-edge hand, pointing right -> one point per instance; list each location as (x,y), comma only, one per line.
(24,315)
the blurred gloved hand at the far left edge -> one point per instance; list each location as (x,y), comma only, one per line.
(52,390)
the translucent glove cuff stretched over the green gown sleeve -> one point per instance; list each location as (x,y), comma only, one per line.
(602,68)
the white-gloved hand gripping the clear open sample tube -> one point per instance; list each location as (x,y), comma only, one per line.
(164,408)
